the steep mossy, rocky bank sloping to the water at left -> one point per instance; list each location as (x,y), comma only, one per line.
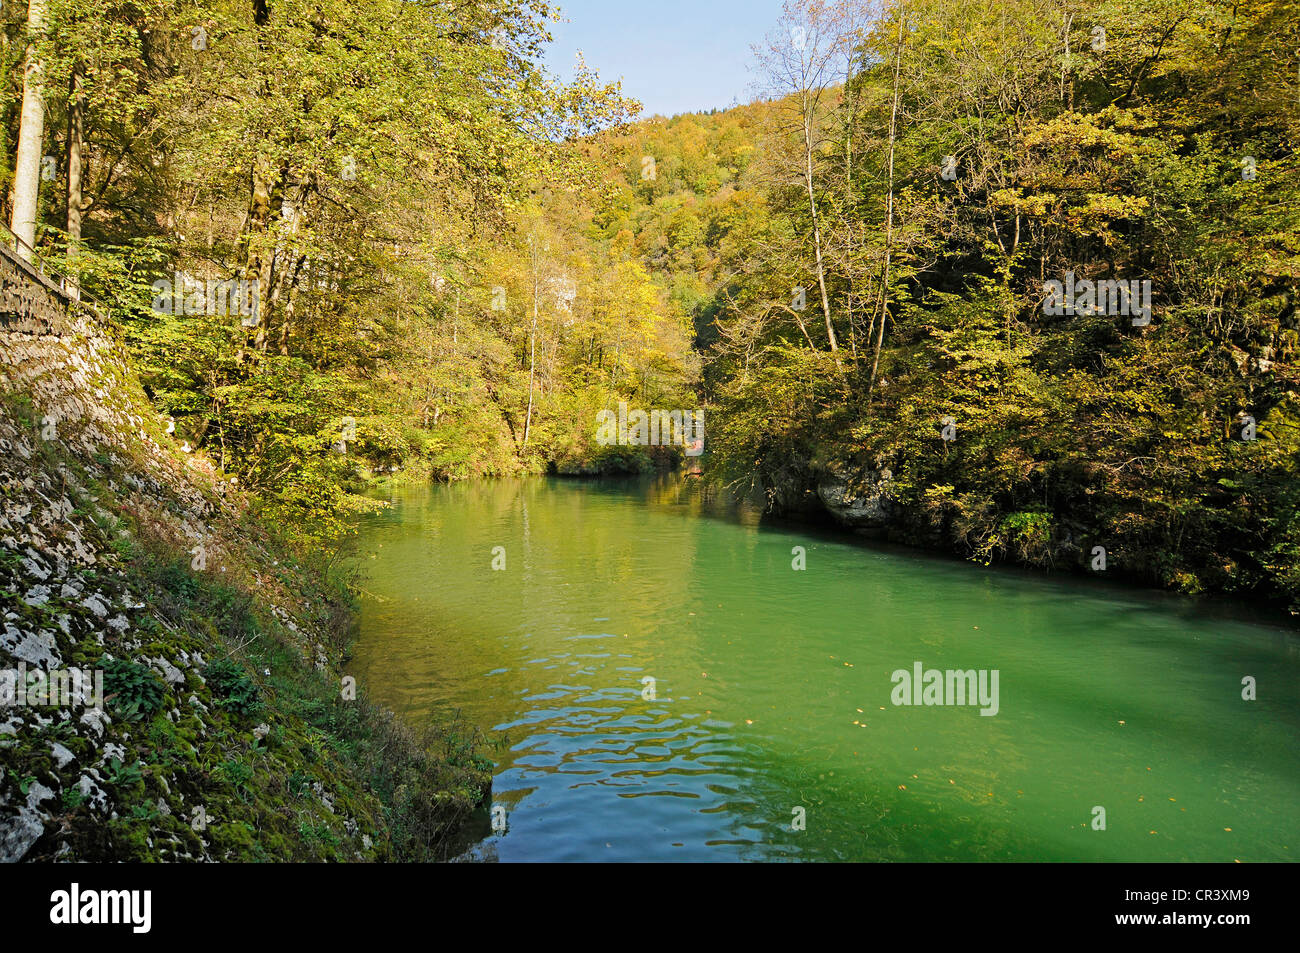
(226,730)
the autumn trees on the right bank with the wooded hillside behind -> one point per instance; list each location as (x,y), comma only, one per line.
(1071,431)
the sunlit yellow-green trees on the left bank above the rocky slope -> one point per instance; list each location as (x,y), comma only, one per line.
(271,153)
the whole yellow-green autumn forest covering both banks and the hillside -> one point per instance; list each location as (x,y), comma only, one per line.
(879,279)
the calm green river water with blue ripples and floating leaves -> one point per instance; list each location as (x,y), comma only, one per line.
(773,695)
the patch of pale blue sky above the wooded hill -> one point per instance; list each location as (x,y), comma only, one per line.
(673,55)
